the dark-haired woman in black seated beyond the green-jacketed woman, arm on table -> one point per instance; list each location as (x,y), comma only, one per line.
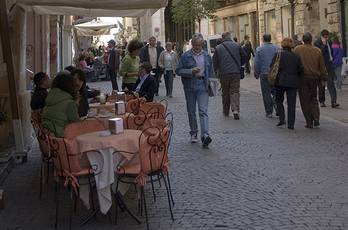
(80,78)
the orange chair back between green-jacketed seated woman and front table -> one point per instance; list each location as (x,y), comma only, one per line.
(87,126)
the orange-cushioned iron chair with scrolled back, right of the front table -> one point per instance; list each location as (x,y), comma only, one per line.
(153,162)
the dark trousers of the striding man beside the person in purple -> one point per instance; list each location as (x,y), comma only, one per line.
(330,84)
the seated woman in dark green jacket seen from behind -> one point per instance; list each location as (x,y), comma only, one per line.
(61,105)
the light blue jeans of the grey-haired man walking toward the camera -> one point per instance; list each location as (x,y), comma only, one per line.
(200,95)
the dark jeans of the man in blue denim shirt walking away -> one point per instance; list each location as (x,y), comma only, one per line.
(268,94)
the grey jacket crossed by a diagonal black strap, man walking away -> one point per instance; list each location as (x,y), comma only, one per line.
(224,62)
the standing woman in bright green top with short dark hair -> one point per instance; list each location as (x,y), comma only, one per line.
(130,65)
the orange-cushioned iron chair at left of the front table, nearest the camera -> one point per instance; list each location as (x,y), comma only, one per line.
(69,171)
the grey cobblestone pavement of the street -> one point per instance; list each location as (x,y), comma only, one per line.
(254,175)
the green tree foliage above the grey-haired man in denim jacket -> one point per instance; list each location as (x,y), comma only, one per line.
(188,11)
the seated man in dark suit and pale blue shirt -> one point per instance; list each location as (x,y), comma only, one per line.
(146,84)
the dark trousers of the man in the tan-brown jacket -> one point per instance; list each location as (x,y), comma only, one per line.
(308,99)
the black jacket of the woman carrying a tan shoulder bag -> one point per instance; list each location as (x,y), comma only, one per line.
(289,70)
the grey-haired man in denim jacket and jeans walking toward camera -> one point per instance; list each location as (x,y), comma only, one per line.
(195,68)
